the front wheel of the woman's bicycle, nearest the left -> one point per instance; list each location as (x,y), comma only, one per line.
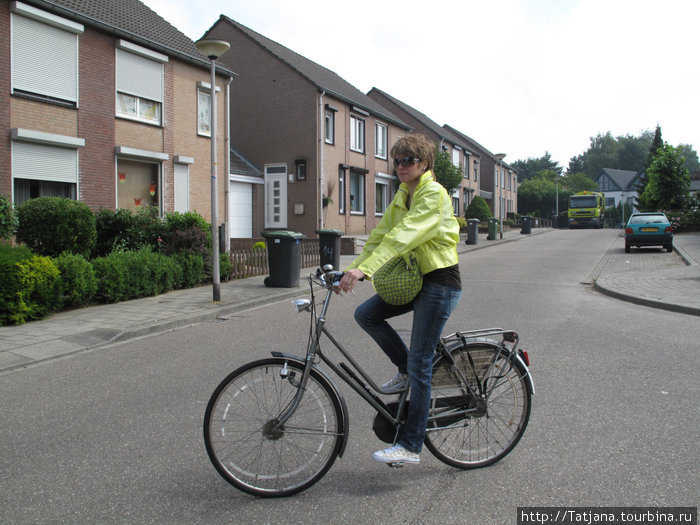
(247,446)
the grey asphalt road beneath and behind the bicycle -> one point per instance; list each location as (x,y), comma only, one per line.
(114,435)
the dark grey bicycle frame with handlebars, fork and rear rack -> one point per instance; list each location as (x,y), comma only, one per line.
(365,385)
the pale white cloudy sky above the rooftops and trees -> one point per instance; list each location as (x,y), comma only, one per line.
(519,76)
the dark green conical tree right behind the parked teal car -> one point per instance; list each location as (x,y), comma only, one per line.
(669,182)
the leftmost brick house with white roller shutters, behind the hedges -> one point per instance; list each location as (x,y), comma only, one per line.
(106,103)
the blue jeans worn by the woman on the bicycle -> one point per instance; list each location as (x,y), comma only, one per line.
(431,309)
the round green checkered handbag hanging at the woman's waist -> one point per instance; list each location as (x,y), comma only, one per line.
(399,280)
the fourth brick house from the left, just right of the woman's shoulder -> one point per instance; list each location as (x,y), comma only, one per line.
(499,181)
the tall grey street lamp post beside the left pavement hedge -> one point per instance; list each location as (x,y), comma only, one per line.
(213,49)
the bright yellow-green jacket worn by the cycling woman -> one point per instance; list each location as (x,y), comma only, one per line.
(428,227)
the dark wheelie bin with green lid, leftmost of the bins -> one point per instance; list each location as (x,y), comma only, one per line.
(284,258)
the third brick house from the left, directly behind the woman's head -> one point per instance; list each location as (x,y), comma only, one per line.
(456,148)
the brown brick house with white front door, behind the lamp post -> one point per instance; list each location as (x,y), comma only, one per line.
(289,117)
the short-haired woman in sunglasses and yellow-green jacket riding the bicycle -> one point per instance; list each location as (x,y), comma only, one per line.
(420,219)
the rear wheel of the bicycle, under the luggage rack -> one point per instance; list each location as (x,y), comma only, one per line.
(472,431)
